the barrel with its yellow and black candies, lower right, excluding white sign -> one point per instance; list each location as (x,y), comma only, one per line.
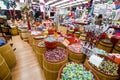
(107,70)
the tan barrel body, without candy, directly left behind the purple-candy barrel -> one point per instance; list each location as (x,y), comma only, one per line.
(39,54)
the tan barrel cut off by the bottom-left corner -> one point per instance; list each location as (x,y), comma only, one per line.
(5,73)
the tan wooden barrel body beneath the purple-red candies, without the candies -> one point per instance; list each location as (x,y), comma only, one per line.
(51,69)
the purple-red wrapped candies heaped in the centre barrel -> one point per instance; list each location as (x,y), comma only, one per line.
(55,55)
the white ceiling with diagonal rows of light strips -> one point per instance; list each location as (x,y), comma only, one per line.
(65,3)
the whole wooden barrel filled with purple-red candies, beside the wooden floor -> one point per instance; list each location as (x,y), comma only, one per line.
(53,62)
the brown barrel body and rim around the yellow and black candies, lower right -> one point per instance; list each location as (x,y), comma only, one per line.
(100,74)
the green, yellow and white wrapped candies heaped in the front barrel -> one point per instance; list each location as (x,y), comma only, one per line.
(73,71)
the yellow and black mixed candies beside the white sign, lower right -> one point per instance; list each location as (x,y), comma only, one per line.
(108,67)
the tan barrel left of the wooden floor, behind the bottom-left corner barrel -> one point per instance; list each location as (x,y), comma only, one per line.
(8,54)
